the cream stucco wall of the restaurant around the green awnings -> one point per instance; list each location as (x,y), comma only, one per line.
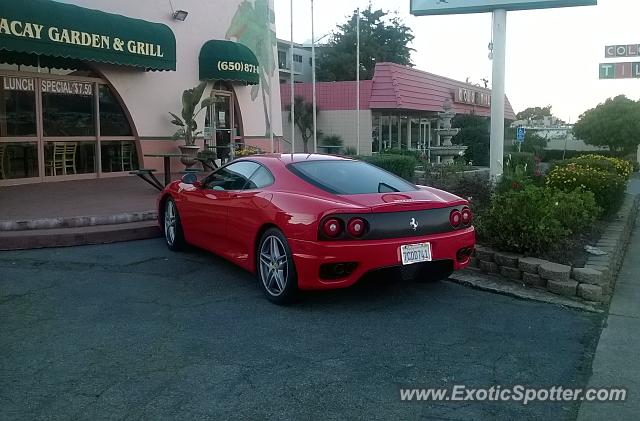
(149,96)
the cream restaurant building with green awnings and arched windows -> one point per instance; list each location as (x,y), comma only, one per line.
(86,92)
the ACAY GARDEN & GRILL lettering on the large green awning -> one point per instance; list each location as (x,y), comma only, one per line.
(35,31)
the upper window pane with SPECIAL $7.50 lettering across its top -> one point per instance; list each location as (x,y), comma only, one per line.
(68,108)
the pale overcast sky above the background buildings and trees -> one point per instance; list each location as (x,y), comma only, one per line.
(552,55)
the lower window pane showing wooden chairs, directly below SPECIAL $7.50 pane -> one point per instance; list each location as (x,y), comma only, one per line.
(69,158)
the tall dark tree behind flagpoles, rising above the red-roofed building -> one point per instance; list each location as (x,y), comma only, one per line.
(383,38)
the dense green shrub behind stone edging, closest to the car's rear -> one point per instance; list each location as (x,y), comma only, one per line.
(535,219)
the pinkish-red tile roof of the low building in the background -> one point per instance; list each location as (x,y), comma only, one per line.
(394,87)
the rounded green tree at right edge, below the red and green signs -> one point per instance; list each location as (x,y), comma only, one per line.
(614,124)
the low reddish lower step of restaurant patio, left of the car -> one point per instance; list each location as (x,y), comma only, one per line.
(64,237)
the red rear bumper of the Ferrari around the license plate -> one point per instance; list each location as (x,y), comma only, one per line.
(370,255)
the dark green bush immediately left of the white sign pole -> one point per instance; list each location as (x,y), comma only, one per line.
(474,133)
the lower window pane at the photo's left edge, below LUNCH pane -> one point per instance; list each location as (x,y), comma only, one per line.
(18,160)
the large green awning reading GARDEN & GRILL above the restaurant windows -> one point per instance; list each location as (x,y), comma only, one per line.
(30,29)
